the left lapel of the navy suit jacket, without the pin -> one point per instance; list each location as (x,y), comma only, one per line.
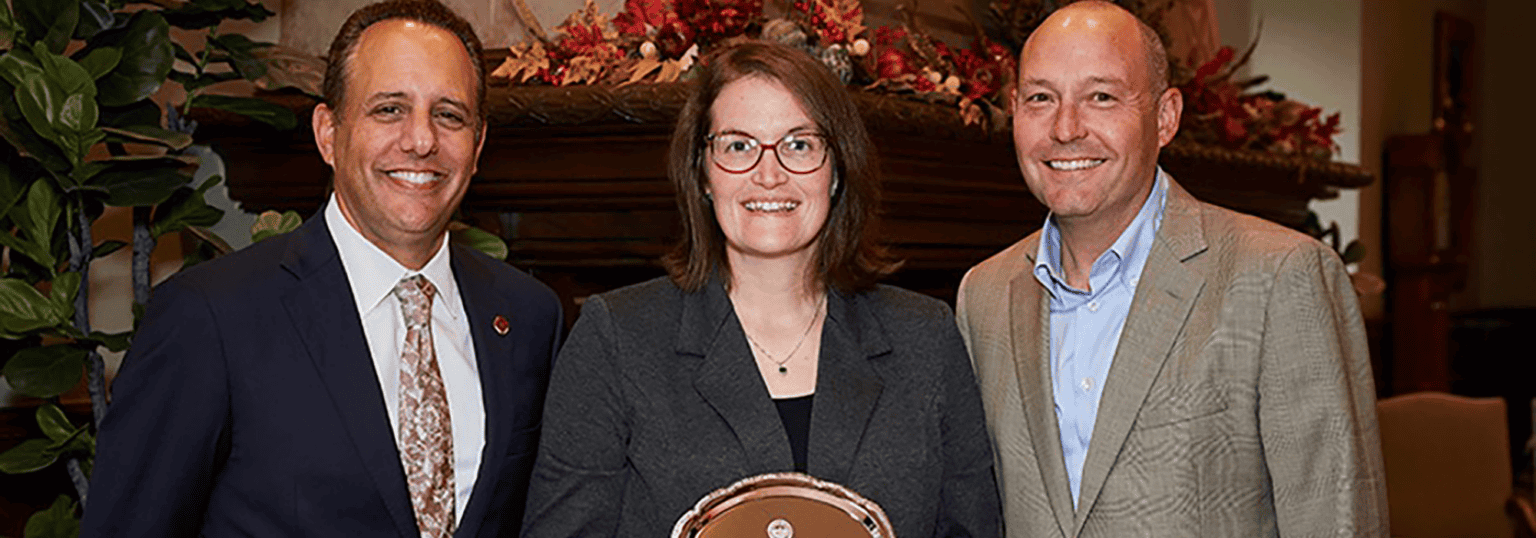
(326,319)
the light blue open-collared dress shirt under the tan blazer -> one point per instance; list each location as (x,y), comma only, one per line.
(1085,325)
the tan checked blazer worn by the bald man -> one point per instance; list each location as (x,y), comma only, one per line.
(1240,400)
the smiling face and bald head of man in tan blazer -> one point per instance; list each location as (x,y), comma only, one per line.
(1088,121)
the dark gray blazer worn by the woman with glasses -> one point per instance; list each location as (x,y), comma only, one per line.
(655,402)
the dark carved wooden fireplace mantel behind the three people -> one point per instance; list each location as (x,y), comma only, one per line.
(575,181)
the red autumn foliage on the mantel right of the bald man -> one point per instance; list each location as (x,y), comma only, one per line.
(1222,110)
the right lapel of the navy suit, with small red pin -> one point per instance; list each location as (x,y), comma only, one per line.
(494,356)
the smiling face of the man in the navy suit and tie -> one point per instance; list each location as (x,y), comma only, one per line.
(406,138)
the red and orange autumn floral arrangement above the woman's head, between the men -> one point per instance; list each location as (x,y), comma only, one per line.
(661,41)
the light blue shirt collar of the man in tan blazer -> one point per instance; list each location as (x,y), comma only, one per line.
(1125,257)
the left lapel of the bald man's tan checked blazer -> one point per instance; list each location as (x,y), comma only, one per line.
(1031,317)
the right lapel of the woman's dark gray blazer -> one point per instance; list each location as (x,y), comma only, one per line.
(847,388)
